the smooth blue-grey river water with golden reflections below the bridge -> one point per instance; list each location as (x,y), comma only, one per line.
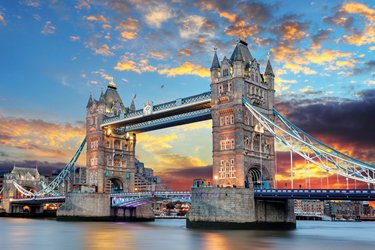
(172,234)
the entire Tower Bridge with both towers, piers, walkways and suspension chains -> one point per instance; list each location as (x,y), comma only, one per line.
(245,128)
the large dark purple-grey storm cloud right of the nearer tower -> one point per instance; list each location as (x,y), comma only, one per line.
(340,121)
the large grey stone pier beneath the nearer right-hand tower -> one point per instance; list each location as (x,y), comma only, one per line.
(236,208)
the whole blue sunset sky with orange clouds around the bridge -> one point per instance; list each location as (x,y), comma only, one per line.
(54,53)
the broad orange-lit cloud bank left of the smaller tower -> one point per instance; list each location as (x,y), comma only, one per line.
(38,139)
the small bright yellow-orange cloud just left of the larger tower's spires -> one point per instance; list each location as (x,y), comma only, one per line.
(187,68)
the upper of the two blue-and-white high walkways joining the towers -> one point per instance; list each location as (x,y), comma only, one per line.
(164,110)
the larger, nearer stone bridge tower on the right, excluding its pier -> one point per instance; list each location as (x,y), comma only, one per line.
(242,150)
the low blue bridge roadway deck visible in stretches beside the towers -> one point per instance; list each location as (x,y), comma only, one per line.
(139,198)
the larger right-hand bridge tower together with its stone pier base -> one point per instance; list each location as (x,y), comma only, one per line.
(243,152)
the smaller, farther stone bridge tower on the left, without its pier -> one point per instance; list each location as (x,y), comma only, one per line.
(110,157)
